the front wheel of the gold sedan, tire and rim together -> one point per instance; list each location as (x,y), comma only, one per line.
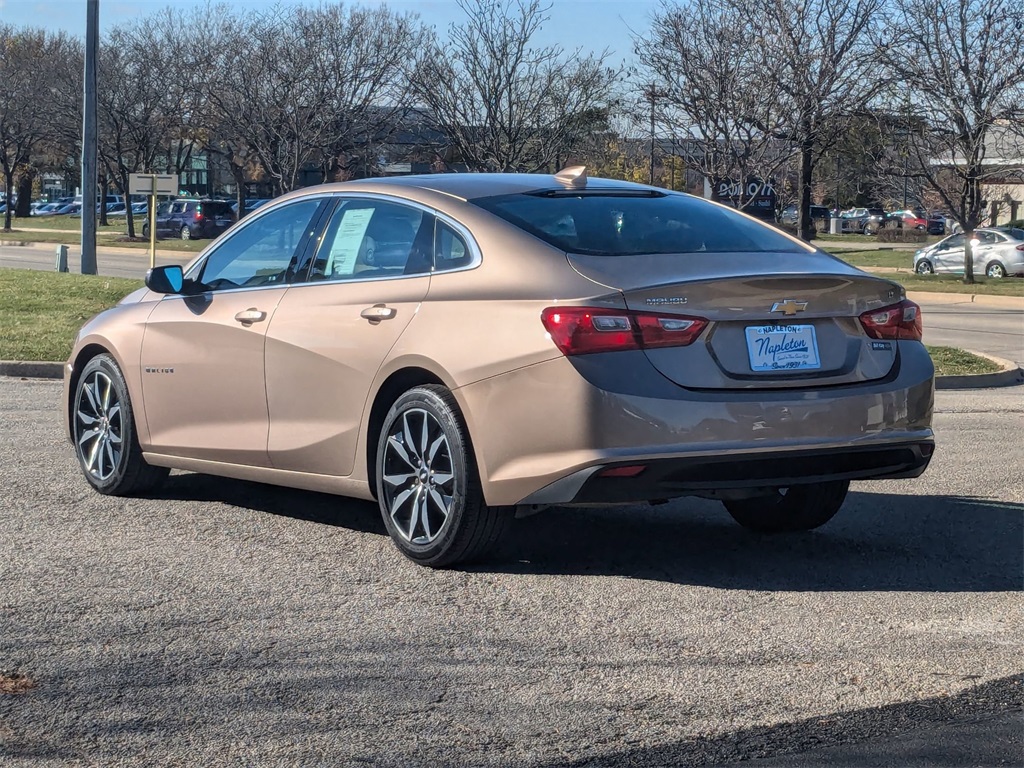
(104,433)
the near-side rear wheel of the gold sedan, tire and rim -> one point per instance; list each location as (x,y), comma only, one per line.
(429,487)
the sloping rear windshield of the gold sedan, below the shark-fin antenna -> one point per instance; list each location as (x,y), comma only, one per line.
(630,225)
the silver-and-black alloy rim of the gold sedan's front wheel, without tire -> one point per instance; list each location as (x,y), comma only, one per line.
(100,426)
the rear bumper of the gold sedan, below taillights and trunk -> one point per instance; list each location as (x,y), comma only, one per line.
(551,447)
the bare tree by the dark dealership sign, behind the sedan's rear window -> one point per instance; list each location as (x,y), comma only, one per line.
(709,77)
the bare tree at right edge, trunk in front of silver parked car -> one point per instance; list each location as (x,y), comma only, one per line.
(964,66)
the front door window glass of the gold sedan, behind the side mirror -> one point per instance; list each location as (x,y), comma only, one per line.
(261,252)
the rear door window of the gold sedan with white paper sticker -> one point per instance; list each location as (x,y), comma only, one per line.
(374,239)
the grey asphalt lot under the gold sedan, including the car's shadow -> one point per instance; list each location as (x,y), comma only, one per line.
(224,623)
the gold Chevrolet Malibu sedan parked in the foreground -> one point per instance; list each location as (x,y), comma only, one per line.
(466,349)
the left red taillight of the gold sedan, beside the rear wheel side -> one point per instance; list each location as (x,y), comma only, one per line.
(580,330)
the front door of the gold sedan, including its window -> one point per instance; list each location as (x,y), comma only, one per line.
(203,355)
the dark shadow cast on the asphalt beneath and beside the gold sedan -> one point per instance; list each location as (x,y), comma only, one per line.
(878,542)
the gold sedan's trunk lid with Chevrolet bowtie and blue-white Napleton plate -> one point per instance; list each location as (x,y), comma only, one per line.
(798,327)
